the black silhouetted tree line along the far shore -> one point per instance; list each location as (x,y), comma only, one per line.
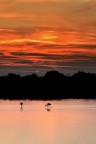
(53,85)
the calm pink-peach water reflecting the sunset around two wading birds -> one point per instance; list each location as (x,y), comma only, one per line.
(66,122)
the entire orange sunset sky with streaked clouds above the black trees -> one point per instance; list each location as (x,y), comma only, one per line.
(42,35)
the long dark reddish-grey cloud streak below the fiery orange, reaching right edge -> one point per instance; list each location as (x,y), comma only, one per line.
(74,55)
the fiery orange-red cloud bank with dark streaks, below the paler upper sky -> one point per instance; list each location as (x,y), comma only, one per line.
(46,48)
